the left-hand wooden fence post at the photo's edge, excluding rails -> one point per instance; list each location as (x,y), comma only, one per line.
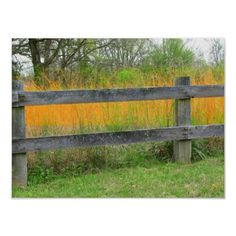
(19,161)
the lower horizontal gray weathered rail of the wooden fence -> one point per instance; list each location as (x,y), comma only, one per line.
(116,138)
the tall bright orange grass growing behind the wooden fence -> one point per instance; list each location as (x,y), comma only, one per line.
(80,118)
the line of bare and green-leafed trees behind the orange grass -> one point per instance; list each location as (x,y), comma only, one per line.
(107,54)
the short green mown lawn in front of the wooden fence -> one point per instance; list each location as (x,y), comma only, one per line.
(201,179)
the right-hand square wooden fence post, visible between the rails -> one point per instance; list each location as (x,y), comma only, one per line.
(182,148)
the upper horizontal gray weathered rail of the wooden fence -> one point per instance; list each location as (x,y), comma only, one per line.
(115,95)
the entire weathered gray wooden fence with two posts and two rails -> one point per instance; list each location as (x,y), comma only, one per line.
(181,133)
